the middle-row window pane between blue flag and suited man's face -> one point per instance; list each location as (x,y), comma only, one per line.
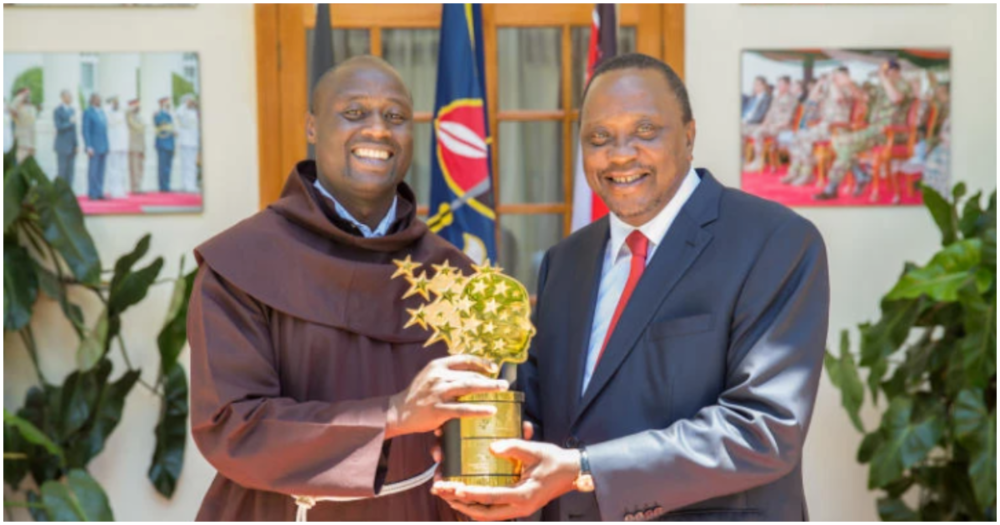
(531,163)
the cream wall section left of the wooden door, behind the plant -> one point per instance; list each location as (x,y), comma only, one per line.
(223,35)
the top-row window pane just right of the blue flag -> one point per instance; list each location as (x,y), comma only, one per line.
(530,68)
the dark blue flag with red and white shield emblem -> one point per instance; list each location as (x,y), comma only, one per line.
(462,208)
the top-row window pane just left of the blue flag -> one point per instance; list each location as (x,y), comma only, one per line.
(414,53)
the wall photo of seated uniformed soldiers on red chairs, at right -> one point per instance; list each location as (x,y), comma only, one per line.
(845,127)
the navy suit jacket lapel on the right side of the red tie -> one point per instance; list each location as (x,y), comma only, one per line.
(684,243)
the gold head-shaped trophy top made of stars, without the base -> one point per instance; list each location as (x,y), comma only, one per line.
(487,314)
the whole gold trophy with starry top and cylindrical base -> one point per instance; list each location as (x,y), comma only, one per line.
(488,315)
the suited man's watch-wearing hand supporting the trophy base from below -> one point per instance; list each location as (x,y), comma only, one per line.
(549,473)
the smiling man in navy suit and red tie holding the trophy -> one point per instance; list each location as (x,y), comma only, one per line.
(680,340)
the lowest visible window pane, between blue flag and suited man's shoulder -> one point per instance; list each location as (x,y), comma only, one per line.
(524,239)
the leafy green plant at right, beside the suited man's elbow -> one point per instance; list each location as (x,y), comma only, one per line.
(933,355)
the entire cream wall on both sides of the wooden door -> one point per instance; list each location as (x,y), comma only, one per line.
(868,247)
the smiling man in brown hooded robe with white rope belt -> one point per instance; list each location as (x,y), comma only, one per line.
(306,388)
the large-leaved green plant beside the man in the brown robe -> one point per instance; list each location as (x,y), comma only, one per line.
(62,427)
